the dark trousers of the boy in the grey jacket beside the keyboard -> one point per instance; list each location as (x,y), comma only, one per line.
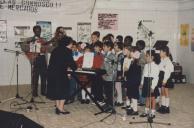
(108,91)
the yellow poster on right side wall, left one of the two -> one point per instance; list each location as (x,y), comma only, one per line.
(184,34)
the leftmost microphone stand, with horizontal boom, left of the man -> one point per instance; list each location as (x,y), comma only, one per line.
(17,96)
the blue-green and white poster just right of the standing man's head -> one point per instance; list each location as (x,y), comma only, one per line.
(46,29)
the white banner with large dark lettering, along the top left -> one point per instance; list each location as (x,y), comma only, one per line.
(47,6)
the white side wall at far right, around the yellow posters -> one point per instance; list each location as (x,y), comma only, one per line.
(184,54)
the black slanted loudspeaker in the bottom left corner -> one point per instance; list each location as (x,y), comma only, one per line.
(13,120)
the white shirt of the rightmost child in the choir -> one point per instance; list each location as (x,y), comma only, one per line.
(166,66)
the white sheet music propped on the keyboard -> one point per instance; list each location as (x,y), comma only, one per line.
(88,60)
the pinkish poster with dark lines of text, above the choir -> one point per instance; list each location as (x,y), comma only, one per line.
(107,21)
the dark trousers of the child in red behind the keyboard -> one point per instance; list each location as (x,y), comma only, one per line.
(97,88)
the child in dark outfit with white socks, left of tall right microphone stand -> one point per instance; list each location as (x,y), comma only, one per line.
(133,76)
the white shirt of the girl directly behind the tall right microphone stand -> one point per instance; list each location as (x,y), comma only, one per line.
(151,70)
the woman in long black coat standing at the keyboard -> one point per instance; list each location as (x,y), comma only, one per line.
(58,83)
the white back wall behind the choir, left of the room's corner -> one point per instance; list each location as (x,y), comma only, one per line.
(163,14)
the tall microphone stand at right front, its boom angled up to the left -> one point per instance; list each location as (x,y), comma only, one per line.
(149,118)
